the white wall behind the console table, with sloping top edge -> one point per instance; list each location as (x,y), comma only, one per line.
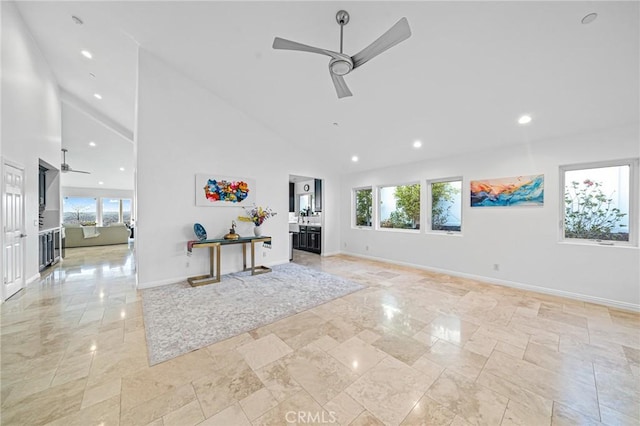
(183,129)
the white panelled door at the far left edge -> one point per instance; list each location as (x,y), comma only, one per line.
(13,228)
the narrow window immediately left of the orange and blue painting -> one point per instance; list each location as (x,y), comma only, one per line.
(446,205)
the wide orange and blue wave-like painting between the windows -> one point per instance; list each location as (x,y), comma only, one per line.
(511,191)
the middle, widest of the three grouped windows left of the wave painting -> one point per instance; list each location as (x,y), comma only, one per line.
(400,206)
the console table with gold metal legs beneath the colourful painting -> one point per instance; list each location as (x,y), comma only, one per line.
(214,257)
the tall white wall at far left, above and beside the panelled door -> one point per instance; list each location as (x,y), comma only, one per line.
(31,116)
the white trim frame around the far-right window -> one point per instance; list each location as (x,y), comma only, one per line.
(633,201)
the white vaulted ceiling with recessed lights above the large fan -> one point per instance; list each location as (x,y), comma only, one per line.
(458,84)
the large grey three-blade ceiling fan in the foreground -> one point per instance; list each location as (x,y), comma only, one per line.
(342,64)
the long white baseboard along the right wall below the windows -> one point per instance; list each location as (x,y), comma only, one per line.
(513,284)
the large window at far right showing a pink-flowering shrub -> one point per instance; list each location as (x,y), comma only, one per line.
(597,203)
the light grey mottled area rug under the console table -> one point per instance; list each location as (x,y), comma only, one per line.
(179,318)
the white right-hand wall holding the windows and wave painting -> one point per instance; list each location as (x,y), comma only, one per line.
(524,241)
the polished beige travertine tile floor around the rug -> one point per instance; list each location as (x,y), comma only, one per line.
(413,348)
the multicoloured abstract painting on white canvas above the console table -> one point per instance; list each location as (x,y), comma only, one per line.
(215,190)
